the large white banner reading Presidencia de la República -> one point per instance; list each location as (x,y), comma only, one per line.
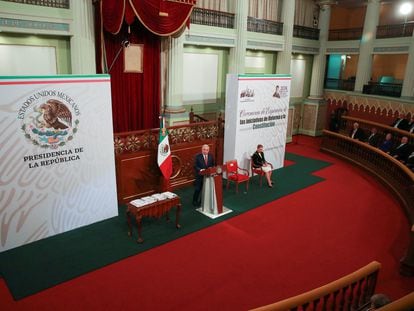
(56,156)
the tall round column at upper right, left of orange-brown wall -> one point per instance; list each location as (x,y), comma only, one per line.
(364,68)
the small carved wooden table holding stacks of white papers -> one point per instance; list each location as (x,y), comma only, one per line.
(156,209)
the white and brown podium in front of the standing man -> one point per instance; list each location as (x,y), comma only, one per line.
(212,193)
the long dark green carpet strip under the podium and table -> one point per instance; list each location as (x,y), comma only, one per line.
(34,267)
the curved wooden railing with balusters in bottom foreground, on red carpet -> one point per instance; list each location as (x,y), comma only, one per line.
(347,293)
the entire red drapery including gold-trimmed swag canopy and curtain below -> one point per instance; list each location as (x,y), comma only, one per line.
(136,97)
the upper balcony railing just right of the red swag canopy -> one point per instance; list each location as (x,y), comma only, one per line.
(212,18)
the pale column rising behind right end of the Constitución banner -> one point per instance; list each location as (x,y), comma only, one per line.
(288,18)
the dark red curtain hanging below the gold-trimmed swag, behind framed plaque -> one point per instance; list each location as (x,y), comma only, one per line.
(135,96)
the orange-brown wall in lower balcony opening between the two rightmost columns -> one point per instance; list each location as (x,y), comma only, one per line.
(381,66)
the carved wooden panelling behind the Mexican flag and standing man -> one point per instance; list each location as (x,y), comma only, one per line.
(137,172)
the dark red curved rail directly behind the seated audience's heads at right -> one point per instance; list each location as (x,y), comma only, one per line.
(366,126)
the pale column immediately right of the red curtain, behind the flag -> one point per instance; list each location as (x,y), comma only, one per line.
(173,103)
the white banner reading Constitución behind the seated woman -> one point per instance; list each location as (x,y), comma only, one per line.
(256,113)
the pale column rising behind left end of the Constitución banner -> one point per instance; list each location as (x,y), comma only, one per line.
(238,53)
